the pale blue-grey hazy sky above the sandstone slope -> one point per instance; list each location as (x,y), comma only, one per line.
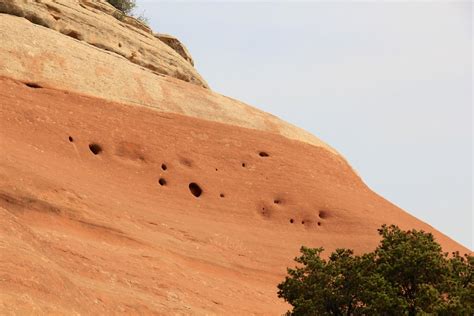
(388,84)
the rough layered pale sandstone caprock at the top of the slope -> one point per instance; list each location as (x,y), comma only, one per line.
(95,22)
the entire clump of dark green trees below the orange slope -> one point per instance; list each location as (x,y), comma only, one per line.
(407,274)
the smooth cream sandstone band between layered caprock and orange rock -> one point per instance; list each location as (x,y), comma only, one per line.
(32,53)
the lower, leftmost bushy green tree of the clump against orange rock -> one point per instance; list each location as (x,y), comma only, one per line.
(343,285)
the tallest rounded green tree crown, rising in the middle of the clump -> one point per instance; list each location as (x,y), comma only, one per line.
(414,265)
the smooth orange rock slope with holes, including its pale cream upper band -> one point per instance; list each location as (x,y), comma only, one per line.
(124,191)
